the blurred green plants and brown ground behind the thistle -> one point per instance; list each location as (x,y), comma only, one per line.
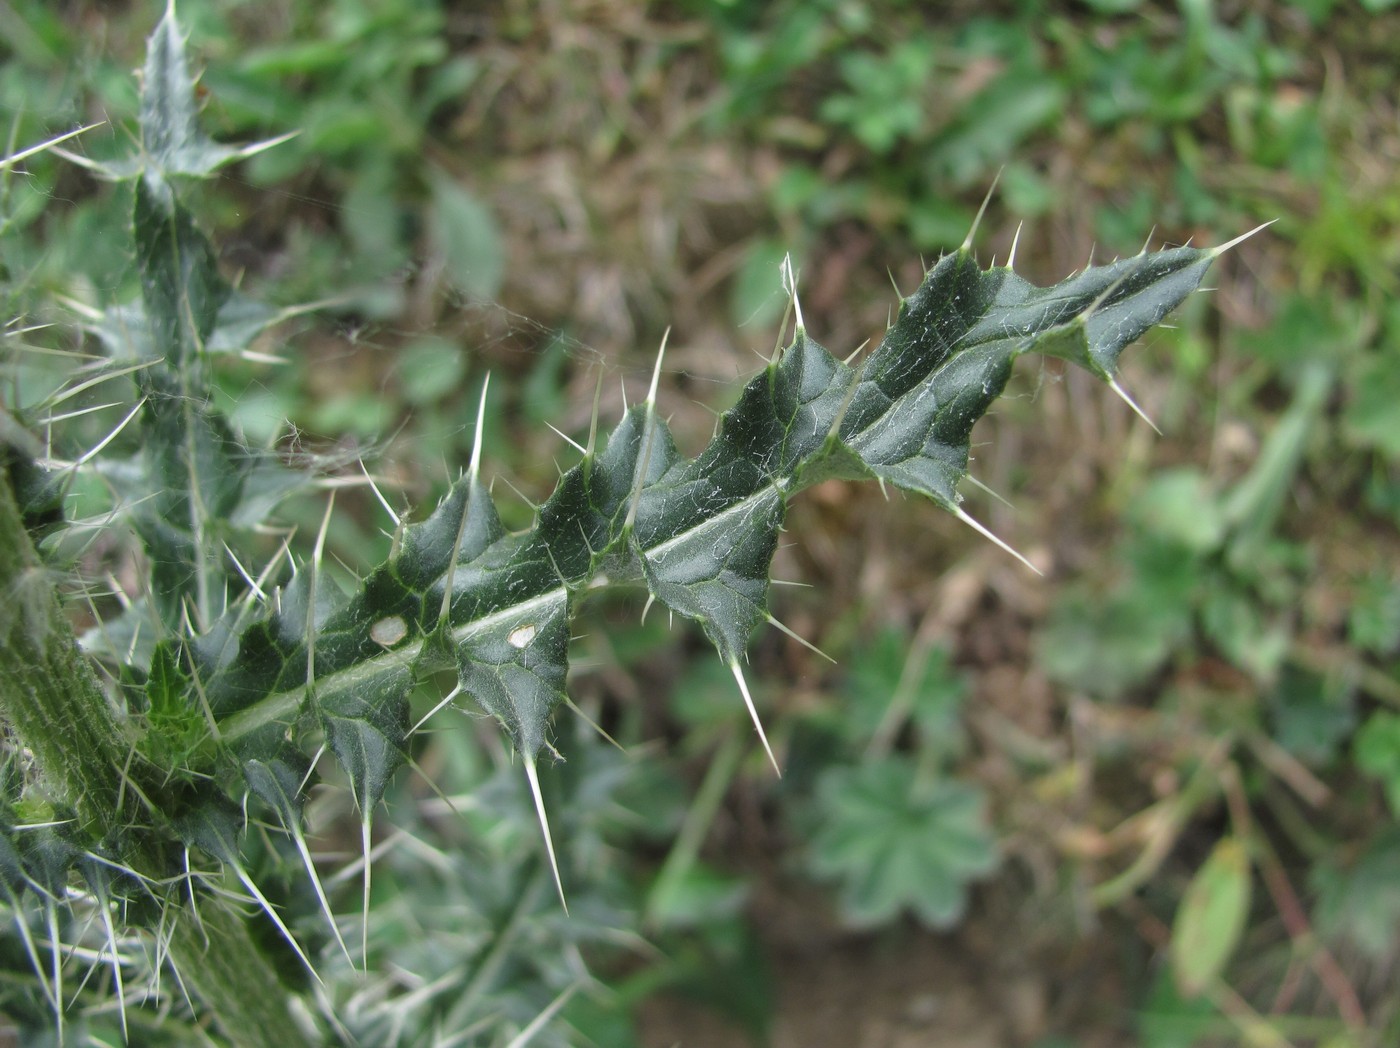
(1150,798)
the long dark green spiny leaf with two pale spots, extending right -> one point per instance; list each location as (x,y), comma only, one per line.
(699,534)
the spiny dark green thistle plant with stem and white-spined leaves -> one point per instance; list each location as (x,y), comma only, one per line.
(227,688)
